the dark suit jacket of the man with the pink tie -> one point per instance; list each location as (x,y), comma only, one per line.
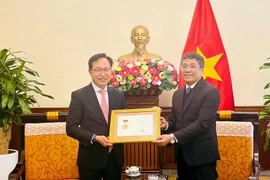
(85,118)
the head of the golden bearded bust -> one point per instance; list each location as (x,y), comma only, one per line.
(140,37)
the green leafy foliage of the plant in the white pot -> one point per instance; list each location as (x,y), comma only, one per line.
(16,89)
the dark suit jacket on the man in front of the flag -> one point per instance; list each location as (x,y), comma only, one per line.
(194,123)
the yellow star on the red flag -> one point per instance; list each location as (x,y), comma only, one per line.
(209,65)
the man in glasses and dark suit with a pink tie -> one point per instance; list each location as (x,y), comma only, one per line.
(88,121)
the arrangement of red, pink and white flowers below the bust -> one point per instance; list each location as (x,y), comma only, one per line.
(143,74)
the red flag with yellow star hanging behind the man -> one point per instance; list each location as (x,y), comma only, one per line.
(204,38)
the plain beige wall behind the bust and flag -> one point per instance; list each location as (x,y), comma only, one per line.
(59,36)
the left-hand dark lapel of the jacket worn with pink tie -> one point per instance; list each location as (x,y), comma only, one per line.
(92,98)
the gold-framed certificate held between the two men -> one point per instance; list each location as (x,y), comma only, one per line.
(134,125)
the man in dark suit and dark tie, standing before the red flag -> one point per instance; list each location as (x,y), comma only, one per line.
(192,123)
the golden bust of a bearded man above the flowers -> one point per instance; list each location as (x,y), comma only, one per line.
(139,37)
